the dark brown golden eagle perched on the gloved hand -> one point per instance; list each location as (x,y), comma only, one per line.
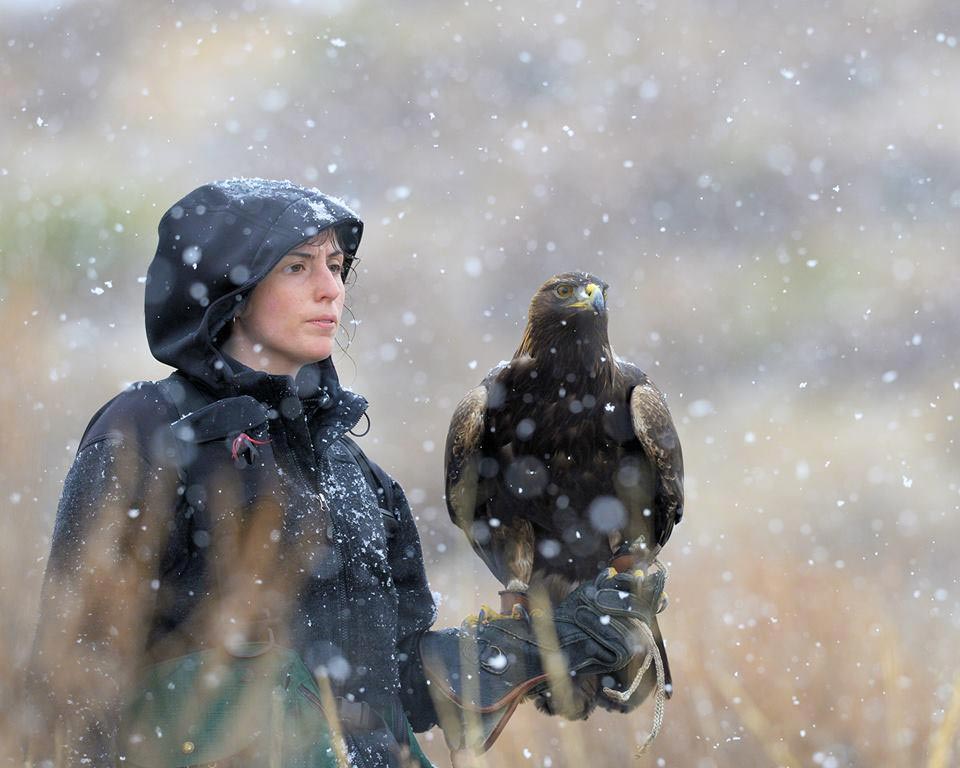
(564,460)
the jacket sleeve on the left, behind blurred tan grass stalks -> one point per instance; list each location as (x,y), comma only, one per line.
(98,593)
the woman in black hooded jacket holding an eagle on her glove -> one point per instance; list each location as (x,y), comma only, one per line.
(223,513)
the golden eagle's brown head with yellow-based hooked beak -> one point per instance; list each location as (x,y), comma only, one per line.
(567,307)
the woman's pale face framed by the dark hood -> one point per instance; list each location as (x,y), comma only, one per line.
(292,316)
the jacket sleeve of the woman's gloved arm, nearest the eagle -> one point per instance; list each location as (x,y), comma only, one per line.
(417,612)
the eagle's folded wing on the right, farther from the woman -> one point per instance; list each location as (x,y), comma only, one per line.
(654,429)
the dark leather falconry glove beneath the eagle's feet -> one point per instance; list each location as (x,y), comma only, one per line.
(479,673)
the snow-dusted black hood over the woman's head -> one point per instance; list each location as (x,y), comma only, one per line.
(214,246)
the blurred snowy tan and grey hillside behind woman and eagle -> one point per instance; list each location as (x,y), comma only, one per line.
(772,191)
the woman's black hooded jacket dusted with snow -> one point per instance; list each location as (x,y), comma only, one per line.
(176,532)
